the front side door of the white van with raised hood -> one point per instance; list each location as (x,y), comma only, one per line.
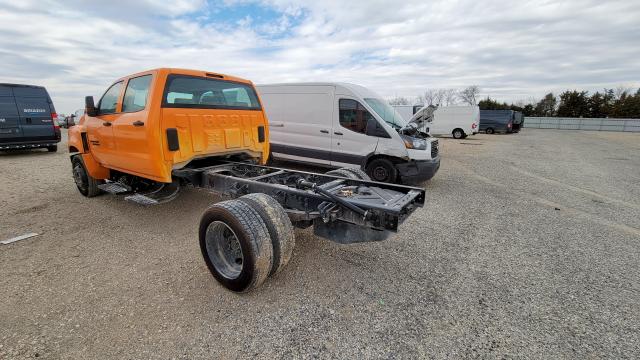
(349,143)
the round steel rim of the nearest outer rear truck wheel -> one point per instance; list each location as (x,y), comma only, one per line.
(224,250)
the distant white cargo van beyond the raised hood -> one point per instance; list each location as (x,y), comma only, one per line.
(457,121)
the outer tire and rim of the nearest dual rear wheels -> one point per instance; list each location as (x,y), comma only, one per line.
(235,244)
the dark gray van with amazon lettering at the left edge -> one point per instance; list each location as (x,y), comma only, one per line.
(27,118)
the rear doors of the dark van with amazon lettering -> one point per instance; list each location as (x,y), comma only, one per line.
(35,110)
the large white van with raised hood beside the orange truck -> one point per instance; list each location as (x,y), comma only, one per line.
(346,125)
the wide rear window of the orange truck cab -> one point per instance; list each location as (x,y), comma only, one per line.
(183,91)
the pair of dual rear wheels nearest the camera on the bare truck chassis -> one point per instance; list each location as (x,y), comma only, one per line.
(244,241)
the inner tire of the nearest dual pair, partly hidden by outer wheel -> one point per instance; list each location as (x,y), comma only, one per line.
(279,227)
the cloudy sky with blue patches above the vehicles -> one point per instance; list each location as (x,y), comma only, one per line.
(514,51)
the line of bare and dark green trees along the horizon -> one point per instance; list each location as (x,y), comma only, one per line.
(621,102)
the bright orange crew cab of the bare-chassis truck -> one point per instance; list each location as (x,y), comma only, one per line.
(153,122)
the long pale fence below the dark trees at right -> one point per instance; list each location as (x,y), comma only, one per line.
(595,124)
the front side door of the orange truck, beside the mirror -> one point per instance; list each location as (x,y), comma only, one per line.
(100,129)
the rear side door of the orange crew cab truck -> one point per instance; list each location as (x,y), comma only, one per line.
(131,131)
